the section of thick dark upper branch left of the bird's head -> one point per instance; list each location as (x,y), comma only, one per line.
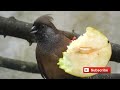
(15,28)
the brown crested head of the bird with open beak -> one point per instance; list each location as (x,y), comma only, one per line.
(43,28)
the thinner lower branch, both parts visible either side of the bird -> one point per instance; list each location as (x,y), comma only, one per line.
(33,68)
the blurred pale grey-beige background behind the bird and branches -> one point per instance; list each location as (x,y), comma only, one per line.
(105,21)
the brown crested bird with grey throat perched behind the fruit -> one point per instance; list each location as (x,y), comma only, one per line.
(51,42)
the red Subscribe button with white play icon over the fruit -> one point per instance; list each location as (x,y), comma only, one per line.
(96,69)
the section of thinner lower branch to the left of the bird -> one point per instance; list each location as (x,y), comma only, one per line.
(19,65)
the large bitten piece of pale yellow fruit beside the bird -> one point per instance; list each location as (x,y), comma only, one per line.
(90,50)
